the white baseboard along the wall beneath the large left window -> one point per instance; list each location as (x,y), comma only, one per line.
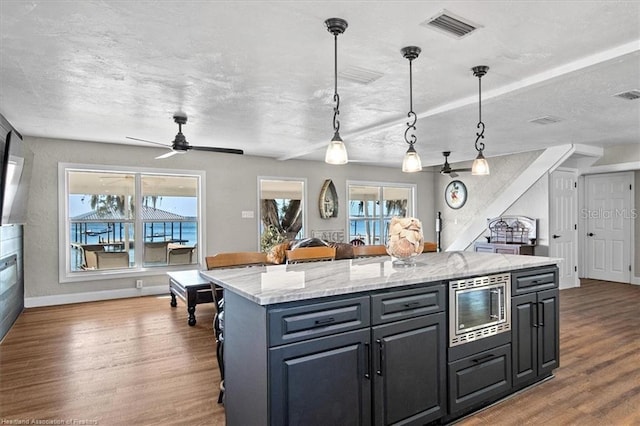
(93,296)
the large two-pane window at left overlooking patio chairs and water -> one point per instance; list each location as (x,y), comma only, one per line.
(119,221)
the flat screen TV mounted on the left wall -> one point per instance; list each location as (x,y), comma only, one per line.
(16,176)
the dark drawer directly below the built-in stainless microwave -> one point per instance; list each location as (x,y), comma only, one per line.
(479,379)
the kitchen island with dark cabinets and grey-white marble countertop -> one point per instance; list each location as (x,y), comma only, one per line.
(365,342)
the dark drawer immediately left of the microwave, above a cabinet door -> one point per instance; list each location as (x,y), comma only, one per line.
(398,305)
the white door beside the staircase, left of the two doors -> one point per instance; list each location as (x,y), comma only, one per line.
(563,220)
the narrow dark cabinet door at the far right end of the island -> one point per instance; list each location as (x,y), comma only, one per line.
(548,351)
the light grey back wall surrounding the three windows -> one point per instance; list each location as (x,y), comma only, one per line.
(231,185)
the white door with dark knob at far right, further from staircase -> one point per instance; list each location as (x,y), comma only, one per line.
(608,223)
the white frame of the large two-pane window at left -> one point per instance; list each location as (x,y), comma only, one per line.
(66,275)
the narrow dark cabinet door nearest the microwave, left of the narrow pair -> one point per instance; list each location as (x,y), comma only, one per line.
(524,338)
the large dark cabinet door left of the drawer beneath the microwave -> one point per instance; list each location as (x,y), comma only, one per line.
(409,370)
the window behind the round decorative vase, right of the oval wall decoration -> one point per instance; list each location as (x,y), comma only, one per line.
(372,205)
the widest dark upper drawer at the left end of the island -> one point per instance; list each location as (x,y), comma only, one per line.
(296,323)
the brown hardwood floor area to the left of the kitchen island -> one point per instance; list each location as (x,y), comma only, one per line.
(122,362)
